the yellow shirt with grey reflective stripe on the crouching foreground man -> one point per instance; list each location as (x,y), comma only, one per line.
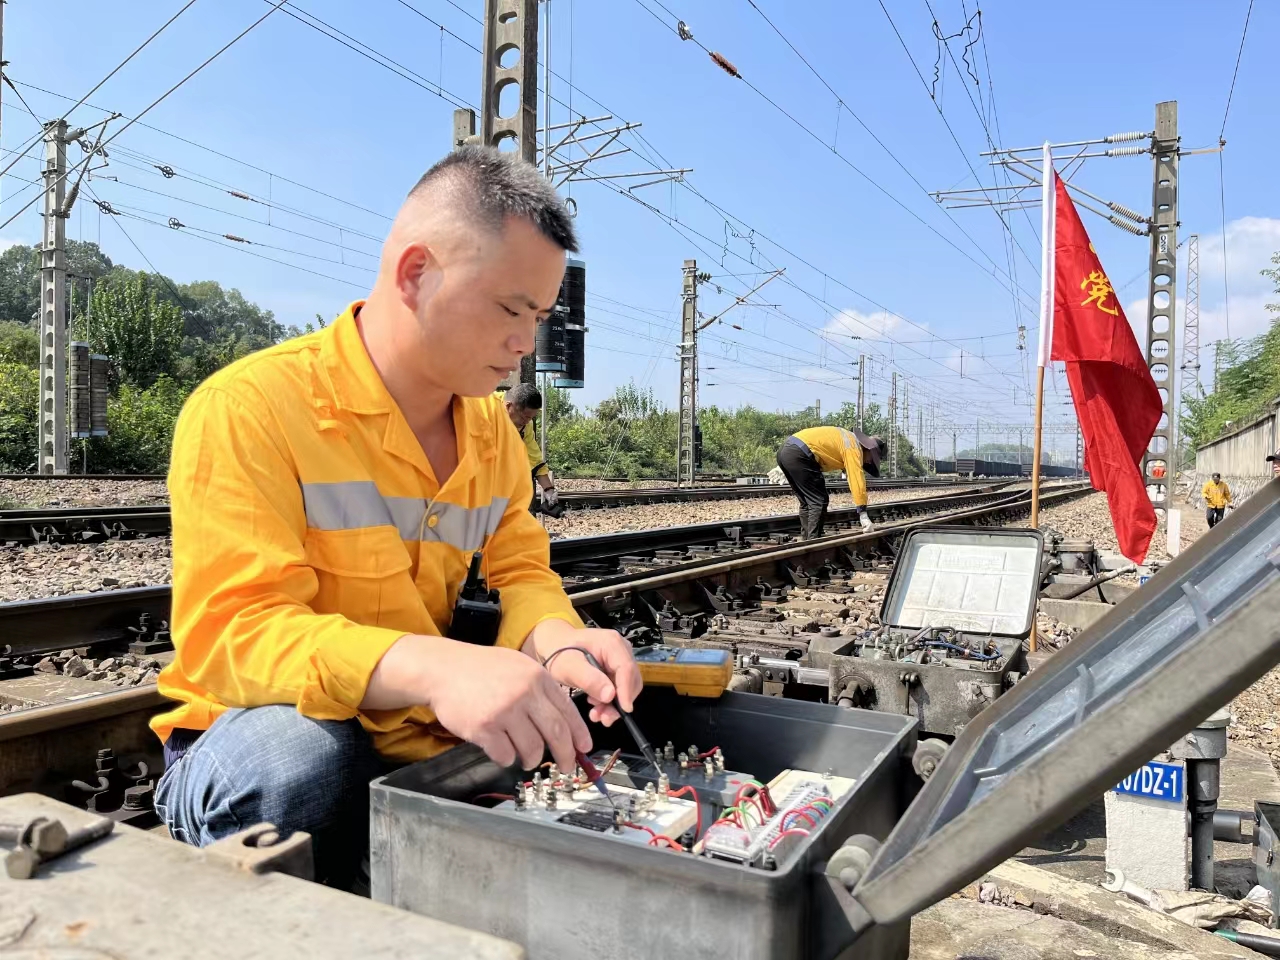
(310,534)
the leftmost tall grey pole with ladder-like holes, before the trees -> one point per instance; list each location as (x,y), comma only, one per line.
(52,454)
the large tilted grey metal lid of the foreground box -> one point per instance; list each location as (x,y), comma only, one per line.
(1199,633)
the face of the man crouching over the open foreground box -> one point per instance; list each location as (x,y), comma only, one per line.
(477,310)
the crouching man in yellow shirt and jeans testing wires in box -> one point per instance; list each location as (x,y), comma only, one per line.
(328,496)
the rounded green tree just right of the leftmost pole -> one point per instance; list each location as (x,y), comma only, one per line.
(130,323)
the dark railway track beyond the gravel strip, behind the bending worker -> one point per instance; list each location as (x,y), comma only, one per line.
(120,523)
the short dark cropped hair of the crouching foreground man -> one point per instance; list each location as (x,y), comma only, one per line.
(500,186)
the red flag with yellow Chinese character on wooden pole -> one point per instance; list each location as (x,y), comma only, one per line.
(1117,401)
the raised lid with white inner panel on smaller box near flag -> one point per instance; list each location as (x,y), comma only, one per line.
(981,582)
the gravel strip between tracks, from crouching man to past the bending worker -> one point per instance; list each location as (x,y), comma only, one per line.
(592,523)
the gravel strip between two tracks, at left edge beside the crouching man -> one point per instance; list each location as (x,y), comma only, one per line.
(57,570)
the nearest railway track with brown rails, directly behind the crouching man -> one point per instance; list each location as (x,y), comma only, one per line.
(43,746)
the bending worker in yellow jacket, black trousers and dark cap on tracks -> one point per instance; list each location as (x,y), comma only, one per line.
(803,459)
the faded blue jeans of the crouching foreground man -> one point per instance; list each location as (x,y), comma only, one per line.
(271,765)
